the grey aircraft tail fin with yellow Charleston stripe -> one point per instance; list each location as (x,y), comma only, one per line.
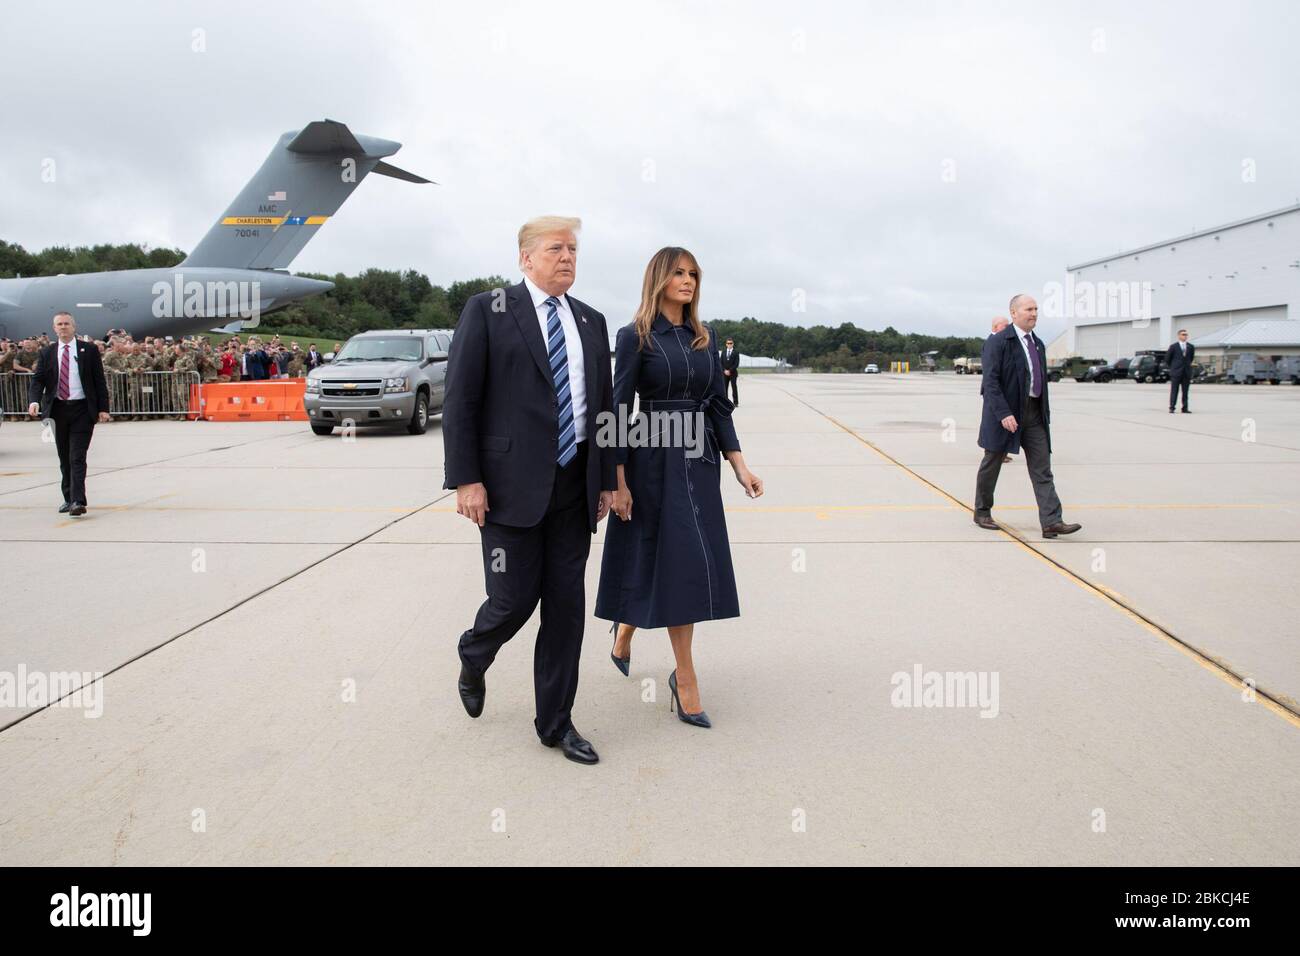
(305,181)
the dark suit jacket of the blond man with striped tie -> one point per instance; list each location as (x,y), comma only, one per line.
(500,422)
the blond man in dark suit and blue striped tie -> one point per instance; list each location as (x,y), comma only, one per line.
(528,377)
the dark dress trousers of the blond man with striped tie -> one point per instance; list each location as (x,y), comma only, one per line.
(548,564)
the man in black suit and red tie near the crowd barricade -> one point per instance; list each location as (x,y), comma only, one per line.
(70,387)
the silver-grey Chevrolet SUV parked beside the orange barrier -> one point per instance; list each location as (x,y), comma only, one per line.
(395,377)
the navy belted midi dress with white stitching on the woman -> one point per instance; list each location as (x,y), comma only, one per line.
(671,564)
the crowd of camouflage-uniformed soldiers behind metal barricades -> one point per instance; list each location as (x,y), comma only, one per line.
(128,364)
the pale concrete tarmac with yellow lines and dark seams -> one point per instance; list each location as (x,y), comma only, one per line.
(278,613)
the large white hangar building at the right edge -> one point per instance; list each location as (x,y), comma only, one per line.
(1234,288)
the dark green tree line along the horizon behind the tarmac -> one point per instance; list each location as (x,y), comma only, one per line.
(408,300)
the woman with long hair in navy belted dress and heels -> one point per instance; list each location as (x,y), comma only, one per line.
(668,560)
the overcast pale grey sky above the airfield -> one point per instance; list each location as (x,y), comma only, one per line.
(903,165)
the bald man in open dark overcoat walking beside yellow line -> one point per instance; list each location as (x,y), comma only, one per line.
(1017,416)
